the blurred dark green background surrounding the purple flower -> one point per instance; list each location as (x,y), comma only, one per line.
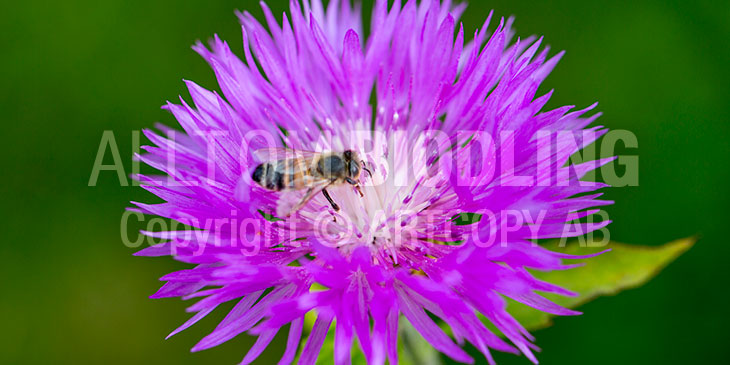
(73,293)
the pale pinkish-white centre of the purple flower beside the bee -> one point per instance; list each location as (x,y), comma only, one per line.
(396,197)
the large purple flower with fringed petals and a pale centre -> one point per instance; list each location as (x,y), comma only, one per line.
(444,128)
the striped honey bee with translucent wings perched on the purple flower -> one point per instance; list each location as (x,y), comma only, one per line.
(287,170)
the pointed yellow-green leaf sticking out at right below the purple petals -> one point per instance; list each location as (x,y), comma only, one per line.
(624,267)
